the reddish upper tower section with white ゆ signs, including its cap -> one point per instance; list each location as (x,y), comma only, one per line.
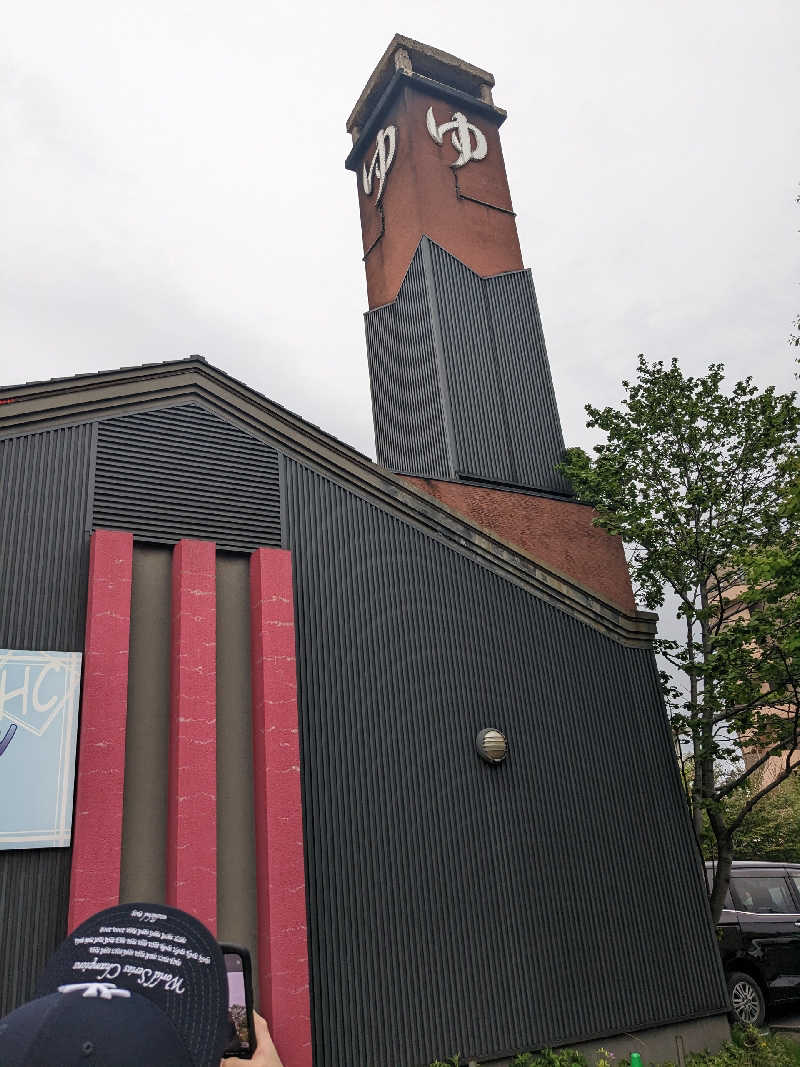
(405,135)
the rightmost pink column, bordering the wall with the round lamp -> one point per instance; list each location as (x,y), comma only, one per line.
(283,938)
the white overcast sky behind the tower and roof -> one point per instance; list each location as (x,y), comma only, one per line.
(172,182)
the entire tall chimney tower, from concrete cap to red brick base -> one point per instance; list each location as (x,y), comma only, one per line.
(462,395)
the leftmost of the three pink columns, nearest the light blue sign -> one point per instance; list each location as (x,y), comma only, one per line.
(101,781)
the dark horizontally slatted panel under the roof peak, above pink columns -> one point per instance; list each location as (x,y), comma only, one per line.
(184,472)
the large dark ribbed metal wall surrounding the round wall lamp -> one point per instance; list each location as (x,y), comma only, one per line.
(454,906)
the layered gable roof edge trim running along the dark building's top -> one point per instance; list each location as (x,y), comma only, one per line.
(67,402)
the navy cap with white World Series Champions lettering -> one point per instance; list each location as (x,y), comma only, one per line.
(135,985)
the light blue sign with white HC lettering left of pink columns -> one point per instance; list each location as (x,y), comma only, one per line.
(39,728)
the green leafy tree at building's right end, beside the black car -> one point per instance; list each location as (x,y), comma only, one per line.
(699,483)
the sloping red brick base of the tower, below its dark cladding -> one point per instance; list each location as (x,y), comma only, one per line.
(558,534)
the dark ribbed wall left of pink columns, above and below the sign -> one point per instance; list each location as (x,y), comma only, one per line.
(44,542)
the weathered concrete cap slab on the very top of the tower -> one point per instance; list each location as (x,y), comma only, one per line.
(413,56)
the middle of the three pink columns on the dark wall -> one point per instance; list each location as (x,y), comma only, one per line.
(191,847)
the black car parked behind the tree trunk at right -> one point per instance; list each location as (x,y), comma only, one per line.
(760,937)
